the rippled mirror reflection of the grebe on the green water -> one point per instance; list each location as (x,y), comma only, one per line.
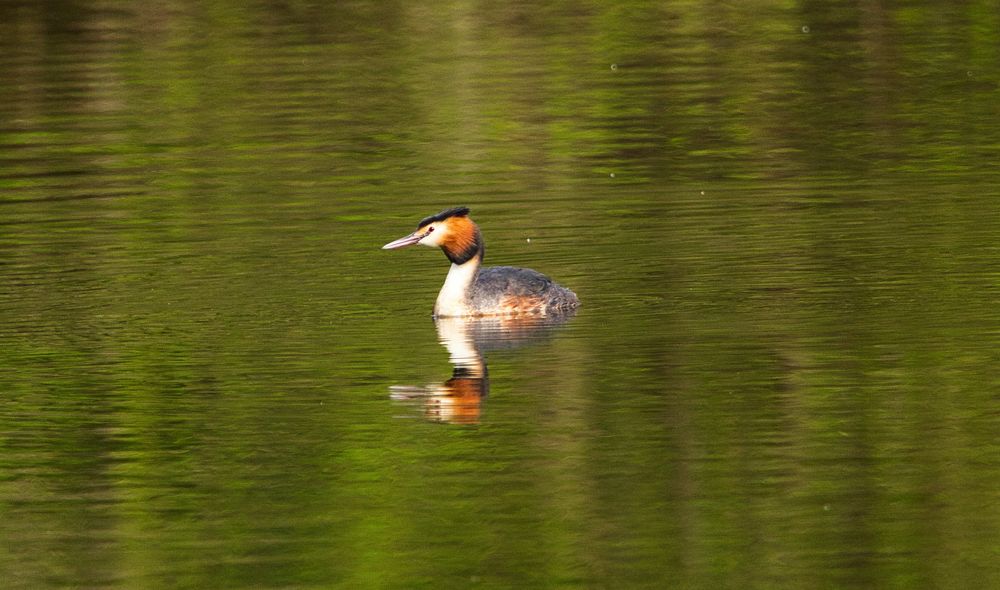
(459,400)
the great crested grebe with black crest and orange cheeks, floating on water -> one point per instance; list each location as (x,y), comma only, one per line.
(491,291)
